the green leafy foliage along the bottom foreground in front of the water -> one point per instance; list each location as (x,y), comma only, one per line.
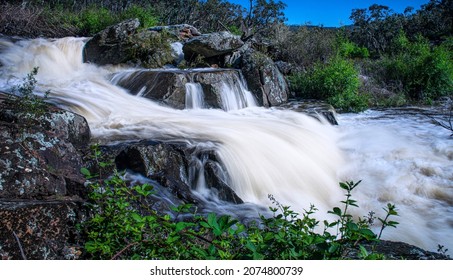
(123,225)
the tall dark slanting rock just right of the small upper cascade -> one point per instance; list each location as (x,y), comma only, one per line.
(264,79)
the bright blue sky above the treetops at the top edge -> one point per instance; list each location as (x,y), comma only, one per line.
(333,12)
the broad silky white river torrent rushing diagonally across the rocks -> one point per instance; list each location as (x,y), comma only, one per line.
(292,156)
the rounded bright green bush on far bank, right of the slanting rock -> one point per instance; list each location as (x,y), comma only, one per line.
(337,82)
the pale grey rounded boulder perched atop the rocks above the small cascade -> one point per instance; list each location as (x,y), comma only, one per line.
(212,45)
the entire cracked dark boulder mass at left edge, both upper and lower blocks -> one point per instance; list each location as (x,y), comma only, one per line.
(41,188)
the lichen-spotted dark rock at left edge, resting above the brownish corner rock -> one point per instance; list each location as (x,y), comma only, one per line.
(41,155)
